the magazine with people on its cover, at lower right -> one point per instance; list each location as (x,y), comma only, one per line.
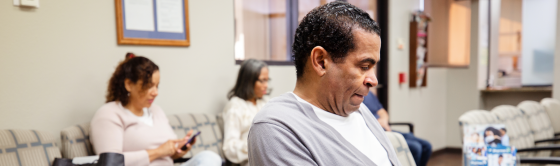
(487,145)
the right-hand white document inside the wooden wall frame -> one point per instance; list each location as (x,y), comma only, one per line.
(170,16)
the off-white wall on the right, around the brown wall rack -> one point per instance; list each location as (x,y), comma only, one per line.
(450,92)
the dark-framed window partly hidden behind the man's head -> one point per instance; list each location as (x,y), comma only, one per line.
(264,29)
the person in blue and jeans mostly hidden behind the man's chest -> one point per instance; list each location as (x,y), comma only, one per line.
(421,149)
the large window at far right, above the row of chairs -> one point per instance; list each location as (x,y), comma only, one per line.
(521,43)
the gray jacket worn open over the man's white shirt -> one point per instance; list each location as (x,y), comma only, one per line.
(287,132)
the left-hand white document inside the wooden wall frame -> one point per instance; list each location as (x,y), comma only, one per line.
(139,15)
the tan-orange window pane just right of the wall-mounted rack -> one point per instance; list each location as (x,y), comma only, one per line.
(448,33)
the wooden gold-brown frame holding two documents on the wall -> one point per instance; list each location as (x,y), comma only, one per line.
(152,22)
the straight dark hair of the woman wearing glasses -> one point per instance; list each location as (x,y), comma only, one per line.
(249,73)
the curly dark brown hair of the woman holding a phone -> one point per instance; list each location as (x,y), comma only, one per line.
(134,68)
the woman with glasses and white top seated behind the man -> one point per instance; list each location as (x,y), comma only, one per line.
(245,100)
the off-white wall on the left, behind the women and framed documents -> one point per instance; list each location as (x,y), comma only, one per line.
(55,62)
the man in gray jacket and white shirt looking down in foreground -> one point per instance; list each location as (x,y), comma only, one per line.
(323,121)
